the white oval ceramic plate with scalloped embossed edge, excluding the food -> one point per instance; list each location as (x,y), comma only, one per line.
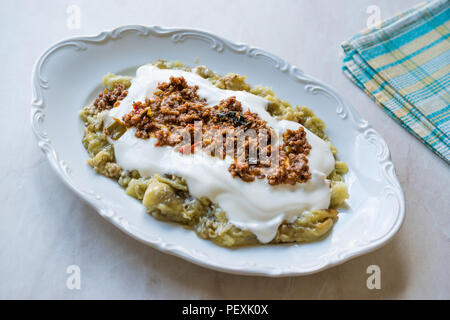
(67,76)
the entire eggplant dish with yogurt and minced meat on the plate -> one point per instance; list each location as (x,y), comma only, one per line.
(232,162)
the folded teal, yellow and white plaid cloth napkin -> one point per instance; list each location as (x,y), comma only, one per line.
(404,65)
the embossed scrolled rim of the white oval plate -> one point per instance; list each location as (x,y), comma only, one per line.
(344,110)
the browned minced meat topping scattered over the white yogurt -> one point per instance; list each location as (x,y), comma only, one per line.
(174,111)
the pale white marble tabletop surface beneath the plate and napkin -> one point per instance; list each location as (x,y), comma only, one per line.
(45,227)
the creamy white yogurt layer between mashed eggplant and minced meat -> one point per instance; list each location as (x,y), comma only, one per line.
(255,206)
